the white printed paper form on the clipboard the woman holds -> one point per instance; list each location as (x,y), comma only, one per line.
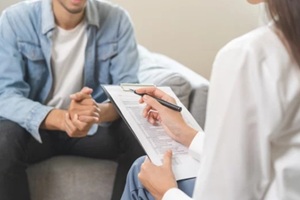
(154,138)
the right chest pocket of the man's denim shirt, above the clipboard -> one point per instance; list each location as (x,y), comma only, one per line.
(105,53)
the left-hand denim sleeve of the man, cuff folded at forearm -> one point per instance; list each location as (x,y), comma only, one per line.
(15,104)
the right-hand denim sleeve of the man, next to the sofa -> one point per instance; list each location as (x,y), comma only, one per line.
(124,67)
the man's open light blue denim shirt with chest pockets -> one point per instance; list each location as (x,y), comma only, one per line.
(26,79)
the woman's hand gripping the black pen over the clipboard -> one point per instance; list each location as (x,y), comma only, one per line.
(171,120)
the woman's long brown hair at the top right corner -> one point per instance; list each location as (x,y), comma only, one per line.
(286,15)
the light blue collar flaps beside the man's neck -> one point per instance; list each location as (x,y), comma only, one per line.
(48,22)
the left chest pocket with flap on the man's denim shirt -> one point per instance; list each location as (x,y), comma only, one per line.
(36,71)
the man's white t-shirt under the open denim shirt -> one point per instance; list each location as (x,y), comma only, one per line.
(68,56)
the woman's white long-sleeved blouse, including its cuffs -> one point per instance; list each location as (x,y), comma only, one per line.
(252,143)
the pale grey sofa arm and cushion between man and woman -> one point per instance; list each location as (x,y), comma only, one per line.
(190,87)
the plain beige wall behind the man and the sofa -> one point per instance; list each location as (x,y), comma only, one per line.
(190,31)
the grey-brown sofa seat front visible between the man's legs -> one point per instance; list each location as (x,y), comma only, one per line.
(71,177)
